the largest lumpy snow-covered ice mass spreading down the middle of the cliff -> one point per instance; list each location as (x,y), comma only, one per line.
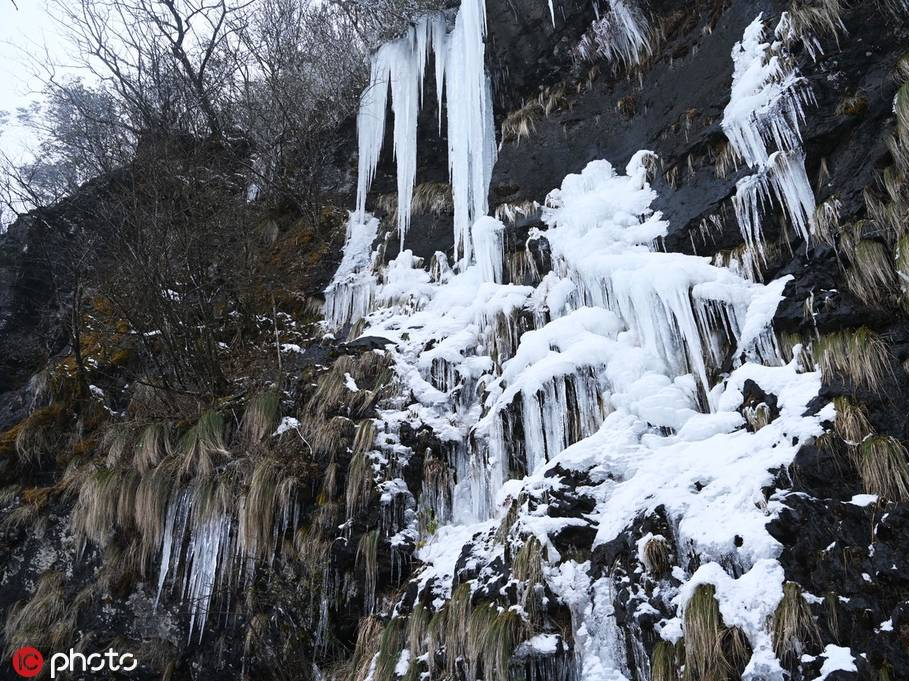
(606,367)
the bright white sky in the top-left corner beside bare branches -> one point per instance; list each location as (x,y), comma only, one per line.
(25,34)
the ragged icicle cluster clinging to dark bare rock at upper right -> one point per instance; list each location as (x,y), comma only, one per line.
(762,123)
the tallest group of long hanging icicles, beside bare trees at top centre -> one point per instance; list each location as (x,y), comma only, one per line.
(460,73)
